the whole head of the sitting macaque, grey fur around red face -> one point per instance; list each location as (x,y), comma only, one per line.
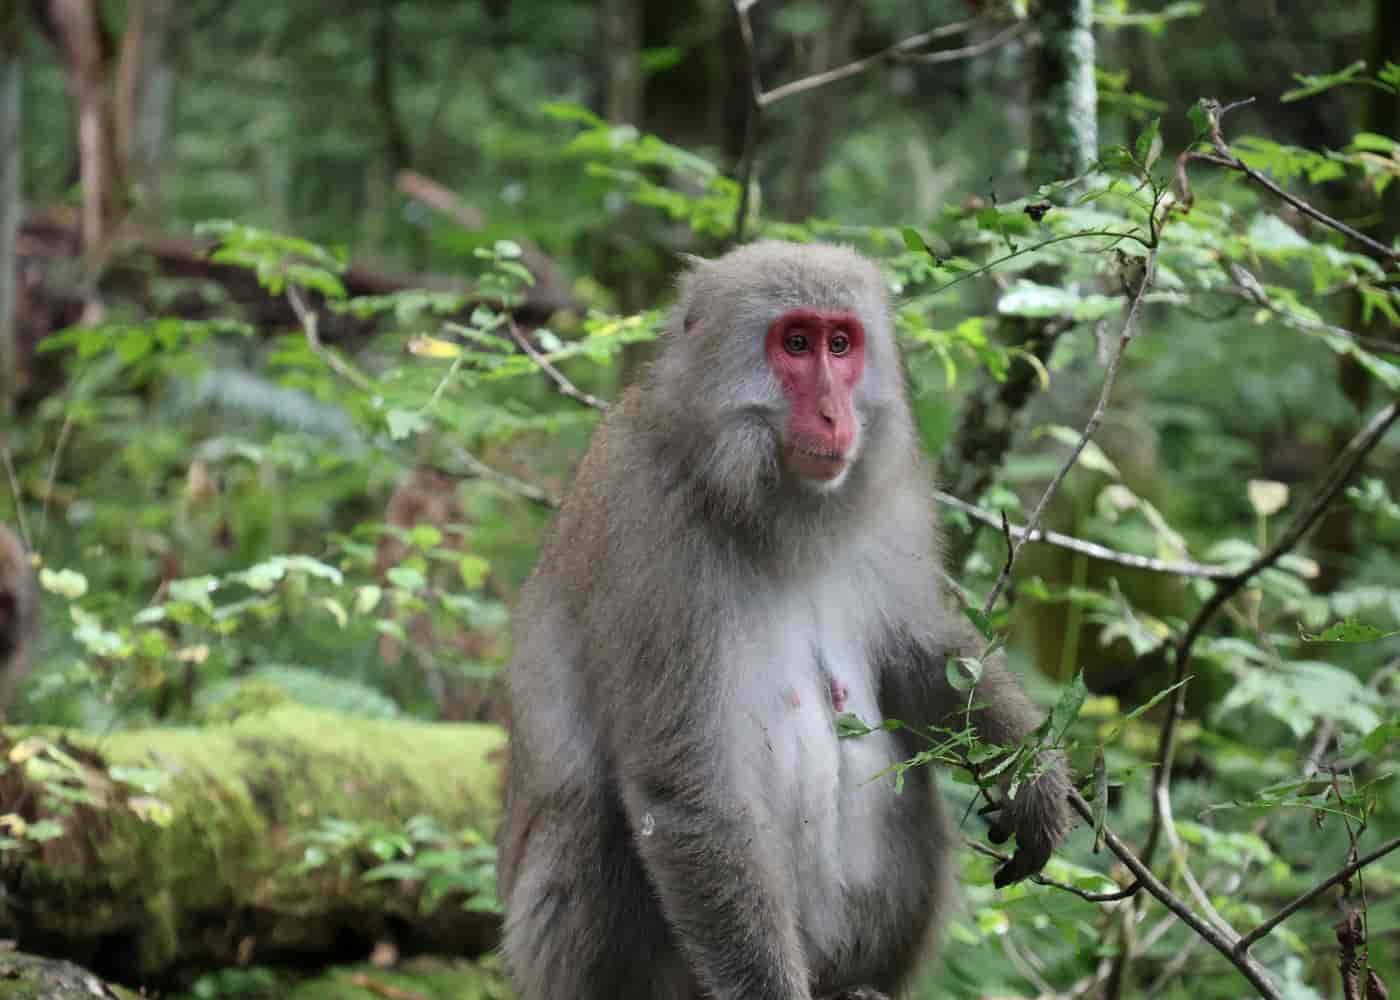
(779,372)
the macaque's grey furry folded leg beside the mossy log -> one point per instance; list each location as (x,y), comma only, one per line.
(583,921)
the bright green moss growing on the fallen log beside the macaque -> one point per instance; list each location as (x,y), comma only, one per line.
(243,796)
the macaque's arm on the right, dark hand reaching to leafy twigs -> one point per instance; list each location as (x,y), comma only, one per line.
(915,684)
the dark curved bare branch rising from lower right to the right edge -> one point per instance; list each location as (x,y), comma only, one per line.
(1338,475)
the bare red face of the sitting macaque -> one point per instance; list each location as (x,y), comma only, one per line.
(818,358)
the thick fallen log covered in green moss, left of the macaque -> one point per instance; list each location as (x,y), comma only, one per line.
(184,849)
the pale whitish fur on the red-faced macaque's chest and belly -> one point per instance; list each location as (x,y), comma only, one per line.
(800,662)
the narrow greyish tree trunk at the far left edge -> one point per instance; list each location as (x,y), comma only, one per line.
(12,200)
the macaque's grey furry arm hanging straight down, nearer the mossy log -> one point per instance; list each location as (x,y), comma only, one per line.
(706,856)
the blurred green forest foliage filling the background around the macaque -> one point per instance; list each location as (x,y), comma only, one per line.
(209,498)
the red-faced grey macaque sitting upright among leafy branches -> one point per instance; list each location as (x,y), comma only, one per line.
(748,554)
